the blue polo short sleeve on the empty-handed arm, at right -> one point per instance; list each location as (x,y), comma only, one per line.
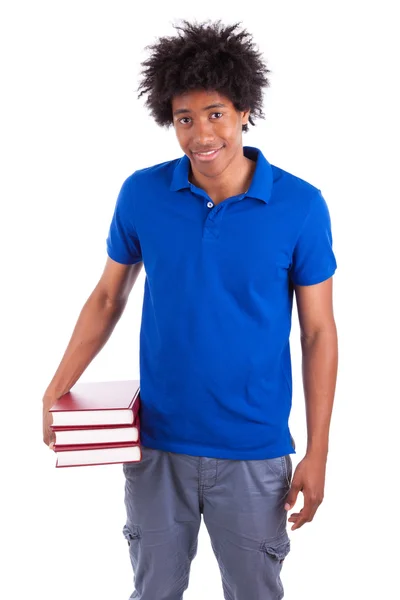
(313,258)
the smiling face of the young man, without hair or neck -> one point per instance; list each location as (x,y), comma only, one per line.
(209,129)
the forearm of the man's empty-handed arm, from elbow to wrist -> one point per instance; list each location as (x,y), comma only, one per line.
(319,365)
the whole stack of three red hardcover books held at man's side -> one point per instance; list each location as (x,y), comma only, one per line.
(97,423)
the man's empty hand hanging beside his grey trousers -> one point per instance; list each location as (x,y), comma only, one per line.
(309,478)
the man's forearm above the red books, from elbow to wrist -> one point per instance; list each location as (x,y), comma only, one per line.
(93,328)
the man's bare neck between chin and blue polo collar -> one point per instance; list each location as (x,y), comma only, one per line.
(234,180)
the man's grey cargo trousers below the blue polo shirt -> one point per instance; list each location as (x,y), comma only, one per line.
(242,503)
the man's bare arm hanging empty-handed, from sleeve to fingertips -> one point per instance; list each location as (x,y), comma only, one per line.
(320,362)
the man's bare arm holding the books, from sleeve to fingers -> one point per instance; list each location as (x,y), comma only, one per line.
(96,321)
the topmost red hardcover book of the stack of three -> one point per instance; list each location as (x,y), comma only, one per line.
(97,403)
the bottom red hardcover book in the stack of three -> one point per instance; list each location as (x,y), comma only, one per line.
(97,454)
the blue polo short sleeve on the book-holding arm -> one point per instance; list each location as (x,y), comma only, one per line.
(123,244)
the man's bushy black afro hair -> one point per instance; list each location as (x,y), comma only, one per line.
(207,56)
